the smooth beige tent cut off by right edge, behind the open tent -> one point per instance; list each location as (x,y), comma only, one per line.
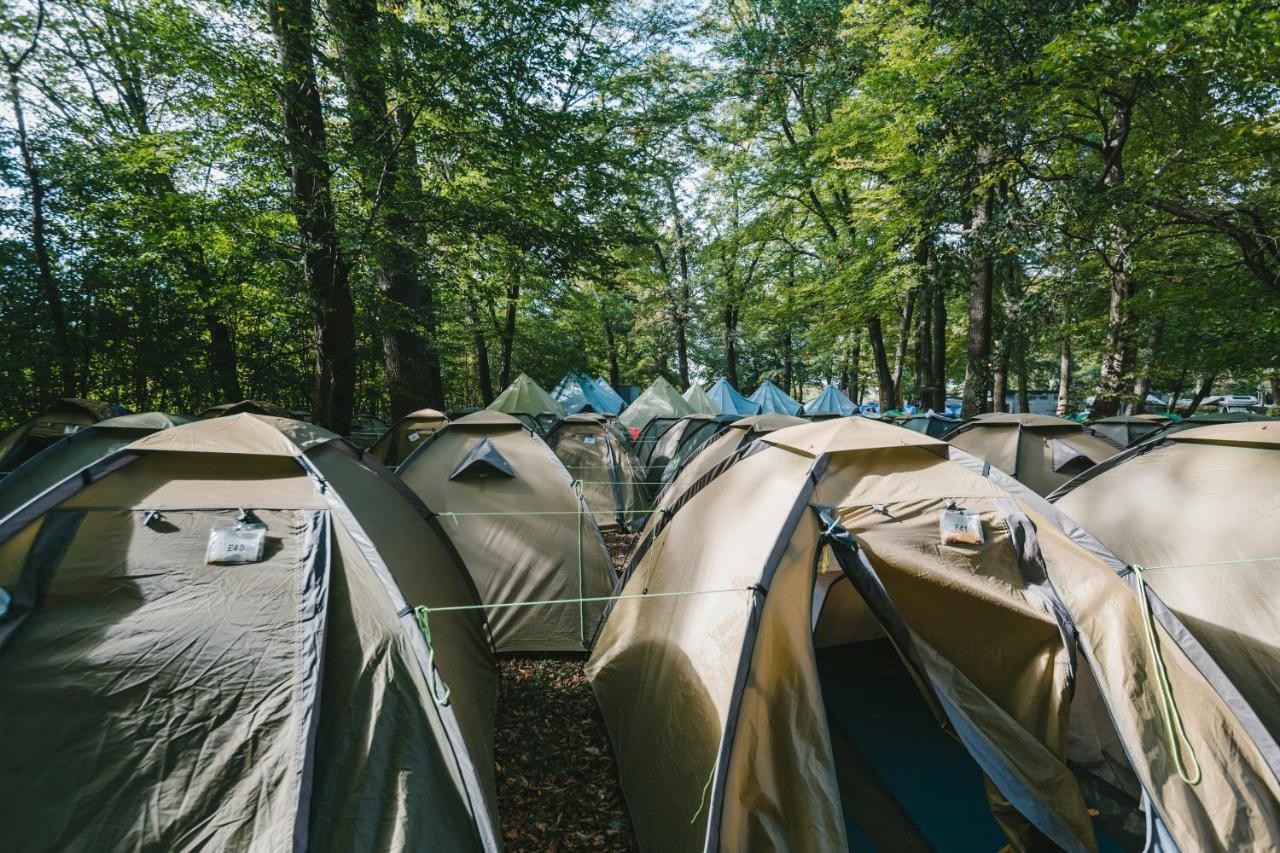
(1201,512)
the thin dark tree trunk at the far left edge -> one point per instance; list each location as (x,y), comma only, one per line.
(45,279)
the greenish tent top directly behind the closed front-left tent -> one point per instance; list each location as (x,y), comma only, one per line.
(79,451)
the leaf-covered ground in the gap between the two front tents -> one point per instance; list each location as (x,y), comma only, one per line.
(557,781)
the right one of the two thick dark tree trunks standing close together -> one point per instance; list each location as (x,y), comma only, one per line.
(377,150)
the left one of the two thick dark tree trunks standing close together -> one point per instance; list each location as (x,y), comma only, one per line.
(323,263)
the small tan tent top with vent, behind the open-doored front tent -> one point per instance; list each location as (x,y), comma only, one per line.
(1041,451)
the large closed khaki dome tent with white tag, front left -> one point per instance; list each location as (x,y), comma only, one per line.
(282,703)
